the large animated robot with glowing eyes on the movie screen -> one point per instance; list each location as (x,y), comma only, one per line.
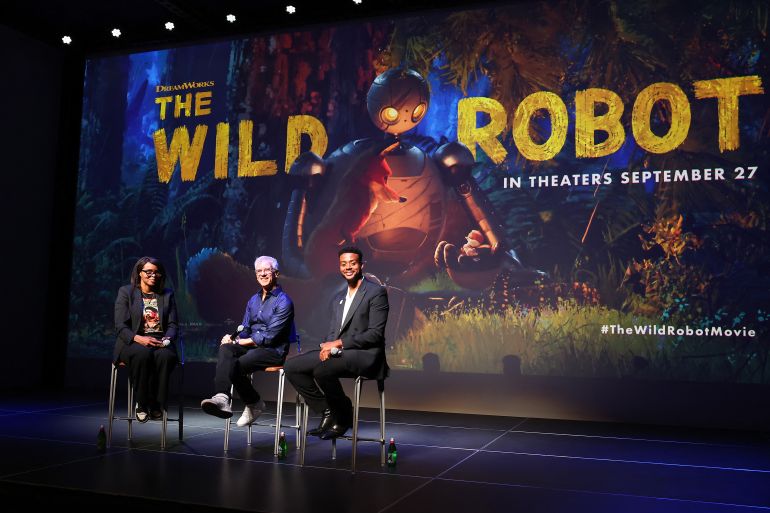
(394,201)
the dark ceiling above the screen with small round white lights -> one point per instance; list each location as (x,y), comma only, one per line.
(141,22)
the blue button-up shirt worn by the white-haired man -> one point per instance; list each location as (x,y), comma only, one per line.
(270,323)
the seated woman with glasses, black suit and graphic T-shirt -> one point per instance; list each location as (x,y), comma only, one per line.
(146,326)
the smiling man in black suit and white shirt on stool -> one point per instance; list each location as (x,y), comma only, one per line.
(355,346)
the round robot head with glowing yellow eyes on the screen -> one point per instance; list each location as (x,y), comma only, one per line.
(398,100)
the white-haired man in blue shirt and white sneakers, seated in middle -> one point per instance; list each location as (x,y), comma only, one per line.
(268,329)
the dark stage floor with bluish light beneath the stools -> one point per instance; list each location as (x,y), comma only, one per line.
(447,463)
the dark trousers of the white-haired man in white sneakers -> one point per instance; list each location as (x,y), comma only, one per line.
(235,362)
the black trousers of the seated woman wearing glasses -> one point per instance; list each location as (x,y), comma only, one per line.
(150,369)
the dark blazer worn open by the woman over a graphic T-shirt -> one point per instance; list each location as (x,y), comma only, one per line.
(129,312)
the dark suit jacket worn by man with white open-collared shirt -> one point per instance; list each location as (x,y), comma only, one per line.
(363,331)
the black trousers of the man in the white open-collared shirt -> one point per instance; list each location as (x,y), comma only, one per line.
(318,382)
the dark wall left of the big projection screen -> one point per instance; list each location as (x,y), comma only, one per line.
(30,89)
